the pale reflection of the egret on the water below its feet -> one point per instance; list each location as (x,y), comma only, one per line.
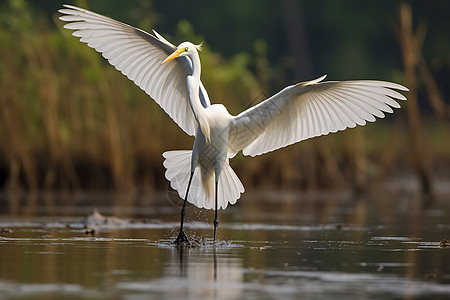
(196,273)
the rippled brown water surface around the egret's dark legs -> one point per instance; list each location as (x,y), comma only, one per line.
(271,245)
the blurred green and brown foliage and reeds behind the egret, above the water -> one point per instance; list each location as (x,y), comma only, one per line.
(68,120)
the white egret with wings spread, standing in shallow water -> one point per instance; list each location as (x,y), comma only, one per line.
(171,76)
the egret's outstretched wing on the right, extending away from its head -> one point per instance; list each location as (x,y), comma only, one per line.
(310,109)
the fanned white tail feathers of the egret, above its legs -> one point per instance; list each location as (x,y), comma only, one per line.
(178,165)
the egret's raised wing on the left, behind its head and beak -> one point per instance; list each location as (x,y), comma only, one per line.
(138,55)
